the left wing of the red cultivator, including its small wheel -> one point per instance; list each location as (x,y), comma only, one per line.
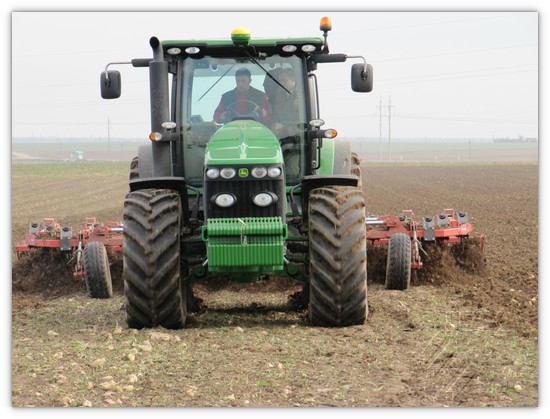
(89,249)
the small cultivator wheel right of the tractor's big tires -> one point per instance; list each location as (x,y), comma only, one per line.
(398,265)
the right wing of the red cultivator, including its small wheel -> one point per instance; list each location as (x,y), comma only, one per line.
(405,240)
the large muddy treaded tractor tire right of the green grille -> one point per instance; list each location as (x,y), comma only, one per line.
(338,257)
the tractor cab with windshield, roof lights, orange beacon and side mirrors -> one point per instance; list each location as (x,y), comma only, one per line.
(204,98)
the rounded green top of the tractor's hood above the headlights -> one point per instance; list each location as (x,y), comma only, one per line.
(243,142)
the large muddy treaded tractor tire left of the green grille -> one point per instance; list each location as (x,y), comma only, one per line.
(153,289)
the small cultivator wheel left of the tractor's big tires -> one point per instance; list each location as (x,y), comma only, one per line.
(97,271)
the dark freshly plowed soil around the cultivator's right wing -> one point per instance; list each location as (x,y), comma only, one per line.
(502,203)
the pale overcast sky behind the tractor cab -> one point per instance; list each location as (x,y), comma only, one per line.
(447,74)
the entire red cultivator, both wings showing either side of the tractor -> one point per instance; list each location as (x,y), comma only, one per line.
(405,240)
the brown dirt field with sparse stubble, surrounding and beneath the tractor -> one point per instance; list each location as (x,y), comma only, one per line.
(456,338)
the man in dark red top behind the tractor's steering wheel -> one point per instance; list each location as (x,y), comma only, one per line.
(244,100)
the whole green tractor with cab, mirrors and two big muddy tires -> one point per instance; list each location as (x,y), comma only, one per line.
(242,194)
